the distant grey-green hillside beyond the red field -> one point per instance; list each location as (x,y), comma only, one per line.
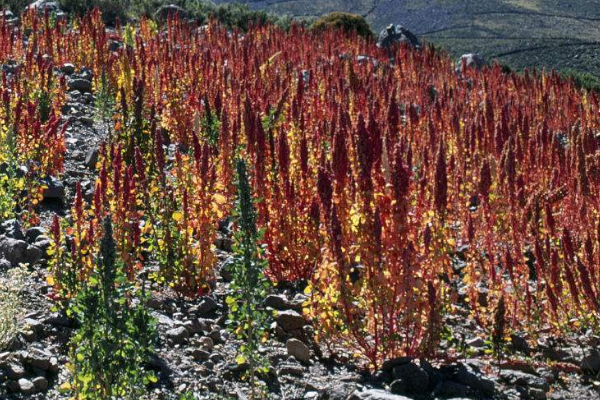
(521,33)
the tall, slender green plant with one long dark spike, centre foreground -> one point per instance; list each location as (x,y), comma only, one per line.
(248,319)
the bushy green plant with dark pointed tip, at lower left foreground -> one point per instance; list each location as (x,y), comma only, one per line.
(117,333)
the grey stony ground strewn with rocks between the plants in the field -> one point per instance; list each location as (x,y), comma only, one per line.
(197,354)
